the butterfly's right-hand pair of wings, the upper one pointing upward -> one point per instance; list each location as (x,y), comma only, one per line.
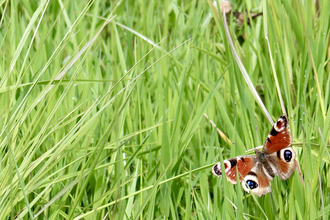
(278,150)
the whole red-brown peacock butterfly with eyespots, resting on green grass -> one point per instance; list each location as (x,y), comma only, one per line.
(256,171)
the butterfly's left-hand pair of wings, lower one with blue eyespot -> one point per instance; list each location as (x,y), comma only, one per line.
(249,169)
